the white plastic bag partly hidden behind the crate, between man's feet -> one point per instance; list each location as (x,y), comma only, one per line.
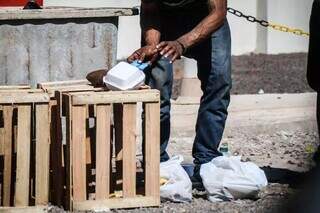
(178,187)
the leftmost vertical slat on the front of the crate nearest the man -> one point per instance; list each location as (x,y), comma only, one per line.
(79,152)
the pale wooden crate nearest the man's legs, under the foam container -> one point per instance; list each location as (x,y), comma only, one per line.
(123,105)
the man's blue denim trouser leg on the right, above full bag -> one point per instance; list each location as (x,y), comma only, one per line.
(214,72)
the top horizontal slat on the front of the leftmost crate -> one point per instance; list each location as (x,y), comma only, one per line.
(9,98)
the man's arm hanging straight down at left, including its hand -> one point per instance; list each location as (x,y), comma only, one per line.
(150,27)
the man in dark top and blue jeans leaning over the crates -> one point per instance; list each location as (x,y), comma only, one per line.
(196,29)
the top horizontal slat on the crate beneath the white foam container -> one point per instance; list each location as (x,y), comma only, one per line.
(115,97)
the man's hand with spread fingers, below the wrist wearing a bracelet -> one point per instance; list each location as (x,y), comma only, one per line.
(171,49)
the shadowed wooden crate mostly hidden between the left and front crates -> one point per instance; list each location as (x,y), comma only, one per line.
(58,190)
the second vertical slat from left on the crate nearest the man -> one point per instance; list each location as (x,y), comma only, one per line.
(103,153)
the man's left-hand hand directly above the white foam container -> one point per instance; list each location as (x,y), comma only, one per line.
(146,53)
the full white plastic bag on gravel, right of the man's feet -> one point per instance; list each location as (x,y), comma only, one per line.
(227,178)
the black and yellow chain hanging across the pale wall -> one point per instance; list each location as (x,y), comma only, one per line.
(265,23)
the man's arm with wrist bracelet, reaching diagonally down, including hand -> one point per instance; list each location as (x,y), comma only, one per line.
(201,32)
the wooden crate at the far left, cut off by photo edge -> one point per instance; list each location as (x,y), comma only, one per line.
(25,147)
